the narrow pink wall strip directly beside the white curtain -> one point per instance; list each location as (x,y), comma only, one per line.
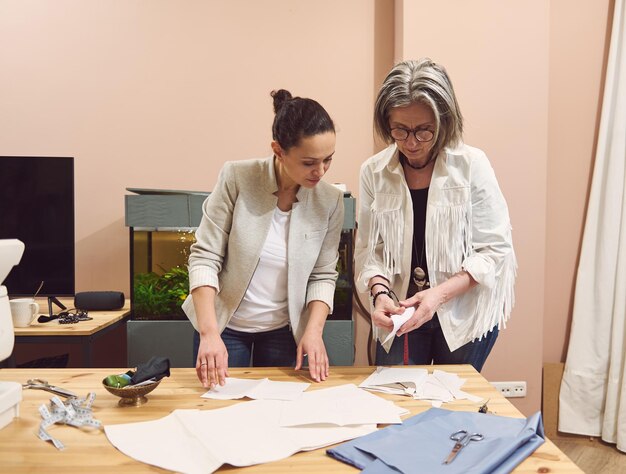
(579,39)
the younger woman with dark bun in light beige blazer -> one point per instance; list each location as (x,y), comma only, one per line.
(263,269)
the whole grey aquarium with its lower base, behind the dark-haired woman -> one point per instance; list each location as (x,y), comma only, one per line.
(162,225)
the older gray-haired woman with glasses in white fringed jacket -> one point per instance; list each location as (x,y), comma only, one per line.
(434,228)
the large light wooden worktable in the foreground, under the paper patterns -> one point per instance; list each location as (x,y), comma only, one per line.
(88,451)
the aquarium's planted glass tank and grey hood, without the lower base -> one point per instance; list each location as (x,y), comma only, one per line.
(162,226)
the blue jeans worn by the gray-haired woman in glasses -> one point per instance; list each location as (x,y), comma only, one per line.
(427,345)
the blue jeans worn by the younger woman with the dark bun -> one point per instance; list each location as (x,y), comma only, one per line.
(275,348)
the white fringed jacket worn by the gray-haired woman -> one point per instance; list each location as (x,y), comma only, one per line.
(467,228)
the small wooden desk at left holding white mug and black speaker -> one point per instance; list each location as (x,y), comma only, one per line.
(83,333)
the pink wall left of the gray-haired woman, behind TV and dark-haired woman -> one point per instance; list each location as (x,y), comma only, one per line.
(159,94)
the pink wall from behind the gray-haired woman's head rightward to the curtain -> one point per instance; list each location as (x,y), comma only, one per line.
(528,78)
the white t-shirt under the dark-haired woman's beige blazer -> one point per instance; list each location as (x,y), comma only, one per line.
(264,306)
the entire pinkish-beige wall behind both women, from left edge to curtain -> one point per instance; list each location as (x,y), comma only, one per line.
(159,93)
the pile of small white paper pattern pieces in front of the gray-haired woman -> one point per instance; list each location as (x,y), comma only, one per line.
(439,387)
